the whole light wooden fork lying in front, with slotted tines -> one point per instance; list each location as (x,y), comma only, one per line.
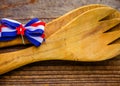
(82,39)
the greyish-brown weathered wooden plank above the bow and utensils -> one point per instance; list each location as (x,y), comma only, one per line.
(28,9)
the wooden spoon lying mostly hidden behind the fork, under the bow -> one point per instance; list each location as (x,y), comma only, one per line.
(54,25)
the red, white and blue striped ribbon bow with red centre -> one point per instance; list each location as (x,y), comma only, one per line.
(33,30)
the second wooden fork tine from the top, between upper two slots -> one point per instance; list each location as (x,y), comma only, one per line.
(108,24)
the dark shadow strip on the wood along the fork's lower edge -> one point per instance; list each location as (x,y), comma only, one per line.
(60,65)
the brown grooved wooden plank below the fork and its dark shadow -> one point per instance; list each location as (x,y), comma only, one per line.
(77,74)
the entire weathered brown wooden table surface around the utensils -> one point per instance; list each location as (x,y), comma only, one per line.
(56,73)
